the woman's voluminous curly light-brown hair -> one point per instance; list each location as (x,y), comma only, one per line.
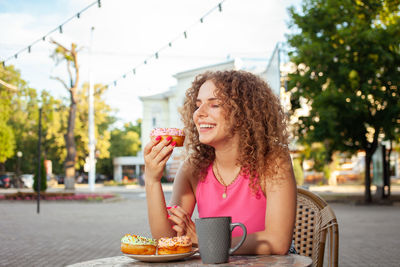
(253,111)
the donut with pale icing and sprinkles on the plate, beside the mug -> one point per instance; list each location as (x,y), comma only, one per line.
(174,245)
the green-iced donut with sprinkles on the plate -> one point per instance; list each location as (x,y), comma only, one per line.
(134,244)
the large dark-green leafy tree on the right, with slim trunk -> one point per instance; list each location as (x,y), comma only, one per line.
(347,54)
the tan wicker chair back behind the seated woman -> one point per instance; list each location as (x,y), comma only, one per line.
(315,221)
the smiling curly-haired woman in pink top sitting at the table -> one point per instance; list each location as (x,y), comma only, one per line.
(238,164)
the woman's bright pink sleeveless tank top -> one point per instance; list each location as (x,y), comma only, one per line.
(241,204)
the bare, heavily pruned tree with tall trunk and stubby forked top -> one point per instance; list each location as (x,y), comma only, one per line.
(70,56)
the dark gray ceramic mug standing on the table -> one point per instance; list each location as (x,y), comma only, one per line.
(215,235)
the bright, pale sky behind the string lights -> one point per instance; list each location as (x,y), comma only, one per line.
(128,32)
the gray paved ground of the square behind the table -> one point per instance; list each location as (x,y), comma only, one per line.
(69,232)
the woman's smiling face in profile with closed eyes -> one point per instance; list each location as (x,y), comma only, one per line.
(209,117)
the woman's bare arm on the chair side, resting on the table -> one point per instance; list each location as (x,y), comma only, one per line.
(280,215)
